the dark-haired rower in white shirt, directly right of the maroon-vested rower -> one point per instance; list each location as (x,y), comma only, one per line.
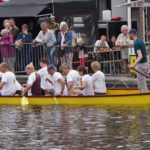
(45,85)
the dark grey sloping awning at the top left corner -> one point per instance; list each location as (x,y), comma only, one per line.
(23,8)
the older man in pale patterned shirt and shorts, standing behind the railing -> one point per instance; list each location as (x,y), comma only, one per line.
(123,42)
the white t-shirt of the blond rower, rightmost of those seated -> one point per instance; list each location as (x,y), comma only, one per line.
(99,83)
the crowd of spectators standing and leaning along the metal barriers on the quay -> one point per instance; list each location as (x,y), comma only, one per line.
(58,45)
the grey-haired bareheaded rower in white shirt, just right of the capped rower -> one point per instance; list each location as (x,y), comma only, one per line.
(73,78)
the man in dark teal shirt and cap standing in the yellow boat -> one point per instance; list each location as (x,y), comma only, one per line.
(141,62)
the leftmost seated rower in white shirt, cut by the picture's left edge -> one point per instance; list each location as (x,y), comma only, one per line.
(8,82)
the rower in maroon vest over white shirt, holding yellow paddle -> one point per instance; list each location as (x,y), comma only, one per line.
(33,86)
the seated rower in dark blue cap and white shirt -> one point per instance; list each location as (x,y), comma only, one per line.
(58,81)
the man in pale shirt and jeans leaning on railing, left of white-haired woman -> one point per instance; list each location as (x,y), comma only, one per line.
(48,39)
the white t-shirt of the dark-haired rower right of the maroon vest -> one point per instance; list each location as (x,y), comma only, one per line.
(44,75)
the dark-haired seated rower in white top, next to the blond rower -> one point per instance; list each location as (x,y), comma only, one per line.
(86,82)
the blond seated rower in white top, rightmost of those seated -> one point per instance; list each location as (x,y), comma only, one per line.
(98,79)
